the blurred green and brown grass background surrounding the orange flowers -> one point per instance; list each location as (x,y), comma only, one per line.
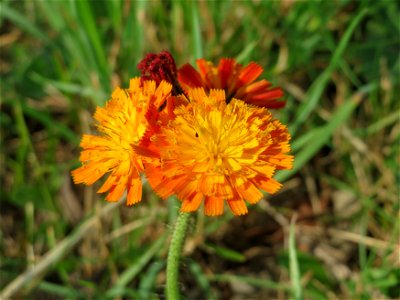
(338,63)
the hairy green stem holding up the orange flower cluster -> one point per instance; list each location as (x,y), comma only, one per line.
(174,254)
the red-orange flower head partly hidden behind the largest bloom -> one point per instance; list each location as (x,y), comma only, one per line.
(237,81)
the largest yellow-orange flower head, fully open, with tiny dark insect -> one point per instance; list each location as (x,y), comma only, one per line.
(217,151)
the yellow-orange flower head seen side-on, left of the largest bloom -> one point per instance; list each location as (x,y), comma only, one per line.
(122,124)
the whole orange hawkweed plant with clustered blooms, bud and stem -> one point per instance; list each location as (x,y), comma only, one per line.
(206,136)
